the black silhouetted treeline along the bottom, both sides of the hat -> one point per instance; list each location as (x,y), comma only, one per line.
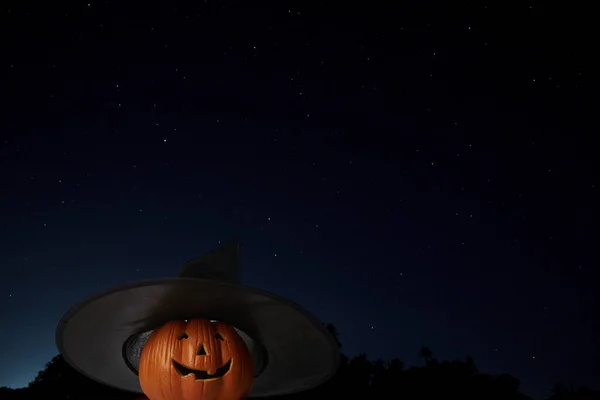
(357,377)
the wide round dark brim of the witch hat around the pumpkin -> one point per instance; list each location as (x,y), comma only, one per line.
(301,353)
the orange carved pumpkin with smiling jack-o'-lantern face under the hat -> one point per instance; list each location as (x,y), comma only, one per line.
(196,360)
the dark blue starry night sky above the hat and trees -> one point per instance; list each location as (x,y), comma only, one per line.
(425,174)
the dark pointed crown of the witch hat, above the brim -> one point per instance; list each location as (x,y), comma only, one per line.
(220,264)
